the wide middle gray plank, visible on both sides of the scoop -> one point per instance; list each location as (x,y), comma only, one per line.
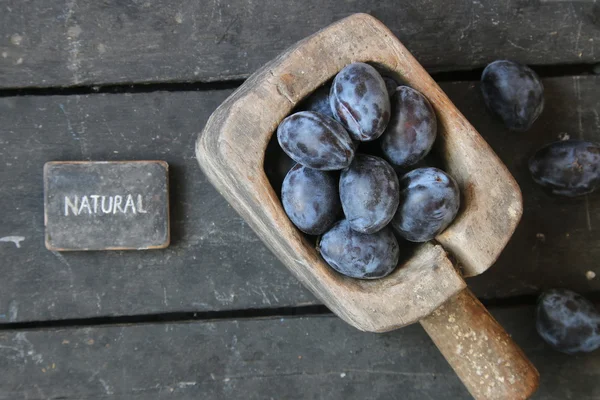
(556,243)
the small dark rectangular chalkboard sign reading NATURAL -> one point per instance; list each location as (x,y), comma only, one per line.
(106,205)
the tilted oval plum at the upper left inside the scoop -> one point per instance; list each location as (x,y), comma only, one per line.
(315,141)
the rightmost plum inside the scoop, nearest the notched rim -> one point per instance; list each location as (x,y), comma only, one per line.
(429,201)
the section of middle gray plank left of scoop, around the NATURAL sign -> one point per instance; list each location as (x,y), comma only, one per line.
(214,261)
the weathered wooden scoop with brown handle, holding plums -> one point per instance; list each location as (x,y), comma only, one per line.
(427,288)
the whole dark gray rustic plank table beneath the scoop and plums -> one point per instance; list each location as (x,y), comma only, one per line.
(215,315)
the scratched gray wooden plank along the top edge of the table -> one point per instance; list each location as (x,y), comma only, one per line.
(87,42)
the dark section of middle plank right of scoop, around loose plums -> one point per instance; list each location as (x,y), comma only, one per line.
(558,240)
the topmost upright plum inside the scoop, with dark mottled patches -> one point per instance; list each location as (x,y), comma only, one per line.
(360,101)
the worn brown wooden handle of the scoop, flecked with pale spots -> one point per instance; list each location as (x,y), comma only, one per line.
(482,354)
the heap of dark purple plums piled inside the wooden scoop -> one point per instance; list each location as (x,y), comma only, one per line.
(351,198)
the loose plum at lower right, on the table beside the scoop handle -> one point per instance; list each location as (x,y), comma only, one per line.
(567,321)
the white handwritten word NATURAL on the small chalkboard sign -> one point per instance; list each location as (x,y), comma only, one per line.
(103,205)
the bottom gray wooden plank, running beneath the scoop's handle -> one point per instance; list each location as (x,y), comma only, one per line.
(282,358)
